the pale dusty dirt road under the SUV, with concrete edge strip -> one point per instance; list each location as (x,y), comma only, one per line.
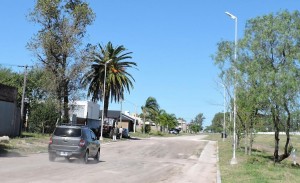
(176,159)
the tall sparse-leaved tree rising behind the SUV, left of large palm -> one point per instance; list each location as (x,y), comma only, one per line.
(63,25)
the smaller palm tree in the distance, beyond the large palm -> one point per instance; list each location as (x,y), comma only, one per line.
(150,110)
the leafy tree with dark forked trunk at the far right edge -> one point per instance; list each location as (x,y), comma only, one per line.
(275,54)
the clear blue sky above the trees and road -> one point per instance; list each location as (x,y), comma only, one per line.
(172,42)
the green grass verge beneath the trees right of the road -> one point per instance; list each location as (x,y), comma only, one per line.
(258,167)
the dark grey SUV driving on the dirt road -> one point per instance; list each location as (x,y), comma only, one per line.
(74,141)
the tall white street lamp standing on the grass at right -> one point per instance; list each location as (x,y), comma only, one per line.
(233,160)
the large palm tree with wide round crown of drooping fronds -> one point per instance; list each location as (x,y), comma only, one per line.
(118,80)
